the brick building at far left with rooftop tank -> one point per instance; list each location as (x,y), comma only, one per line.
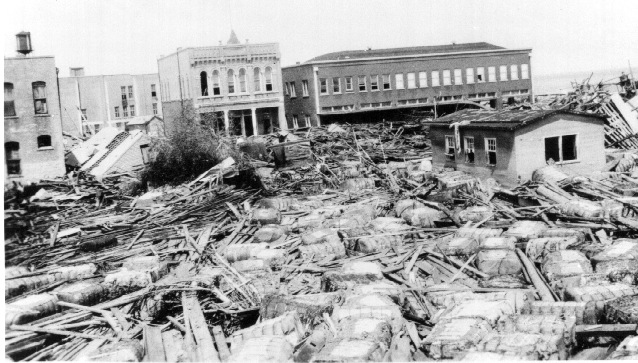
(33,142)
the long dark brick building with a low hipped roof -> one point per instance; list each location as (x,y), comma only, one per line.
(375,84)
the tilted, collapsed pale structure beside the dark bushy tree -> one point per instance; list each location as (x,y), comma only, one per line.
(111,152)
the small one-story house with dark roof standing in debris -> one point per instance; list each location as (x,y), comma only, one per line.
(509,145)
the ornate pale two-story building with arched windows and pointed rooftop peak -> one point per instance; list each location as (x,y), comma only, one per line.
(235,88)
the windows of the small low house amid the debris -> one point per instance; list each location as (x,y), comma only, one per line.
(557,148)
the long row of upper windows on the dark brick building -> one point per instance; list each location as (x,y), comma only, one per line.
(383,82)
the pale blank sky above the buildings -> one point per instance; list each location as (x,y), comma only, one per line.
(115,36)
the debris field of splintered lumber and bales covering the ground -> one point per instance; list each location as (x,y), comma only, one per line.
(353,250)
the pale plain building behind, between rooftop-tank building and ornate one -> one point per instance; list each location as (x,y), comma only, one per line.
(90,103)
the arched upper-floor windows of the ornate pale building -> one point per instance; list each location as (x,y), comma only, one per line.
(236,83)
